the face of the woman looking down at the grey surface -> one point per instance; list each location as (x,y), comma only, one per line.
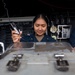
(40,27)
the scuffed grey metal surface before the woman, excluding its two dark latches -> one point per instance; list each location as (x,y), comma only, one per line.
(38,61)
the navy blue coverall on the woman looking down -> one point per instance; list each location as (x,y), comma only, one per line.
(32,38)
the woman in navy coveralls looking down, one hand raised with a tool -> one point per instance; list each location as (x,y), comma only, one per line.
(40,24)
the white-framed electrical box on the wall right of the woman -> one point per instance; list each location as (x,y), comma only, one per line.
(63,31)
